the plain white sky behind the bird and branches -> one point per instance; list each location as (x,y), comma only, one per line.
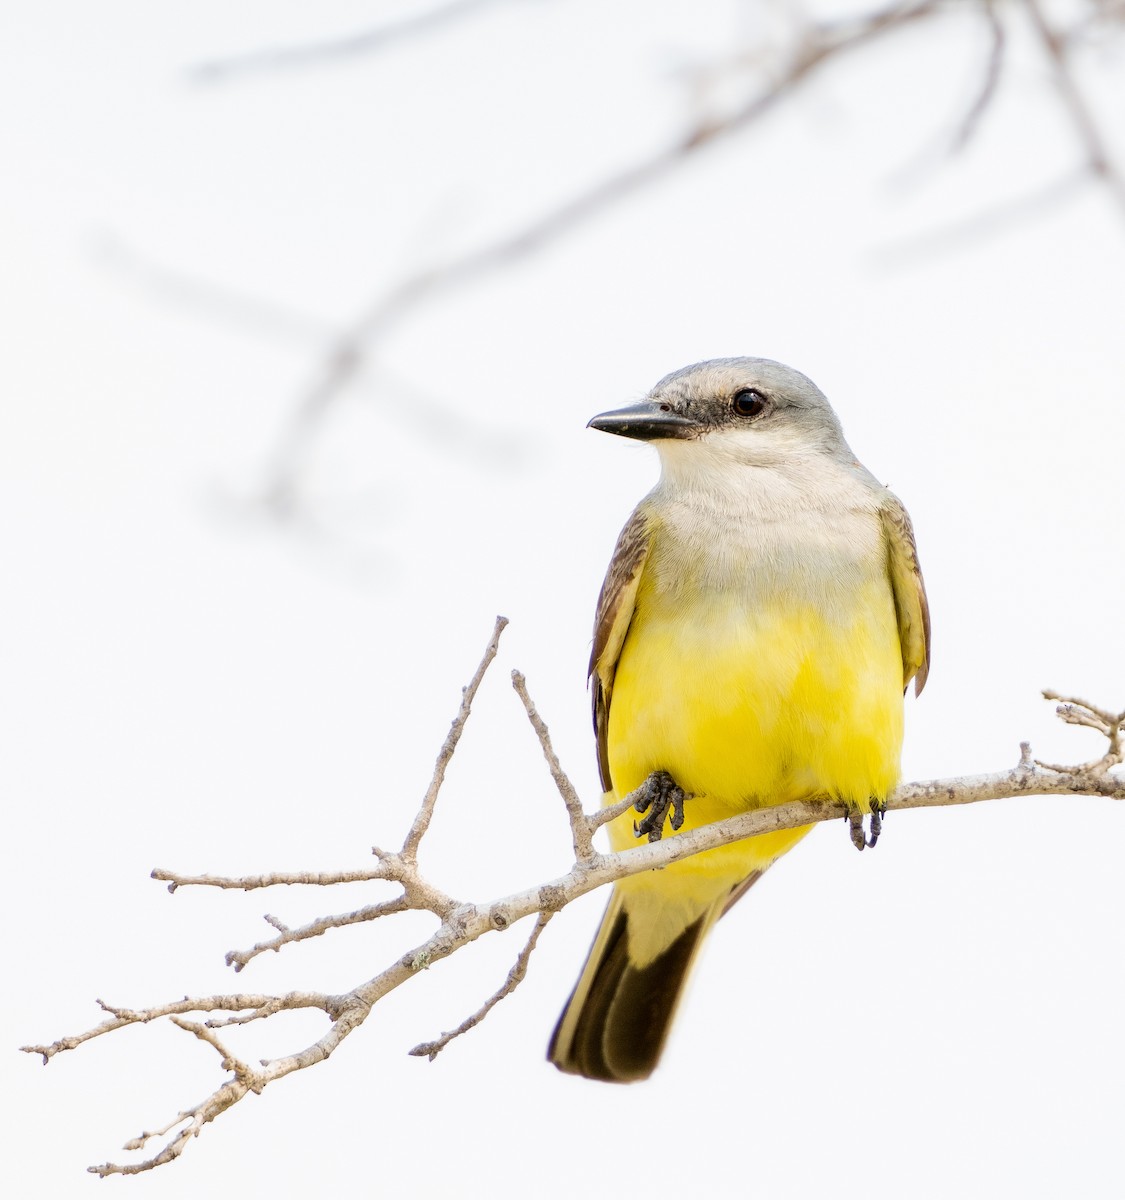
(188,686)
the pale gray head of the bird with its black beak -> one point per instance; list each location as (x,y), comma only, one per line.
(754,412)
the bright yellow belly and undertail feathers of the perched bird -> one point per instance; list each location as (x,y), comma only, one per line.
(749,706)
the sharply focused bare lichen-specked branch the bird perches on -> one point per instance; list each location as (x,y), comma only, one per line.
(462,923)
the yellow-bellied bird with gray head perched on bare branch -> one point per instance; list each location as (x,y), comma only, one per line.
(761,619)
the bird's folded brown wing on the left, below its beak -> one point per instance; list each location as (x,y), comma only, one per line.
(615,615)
